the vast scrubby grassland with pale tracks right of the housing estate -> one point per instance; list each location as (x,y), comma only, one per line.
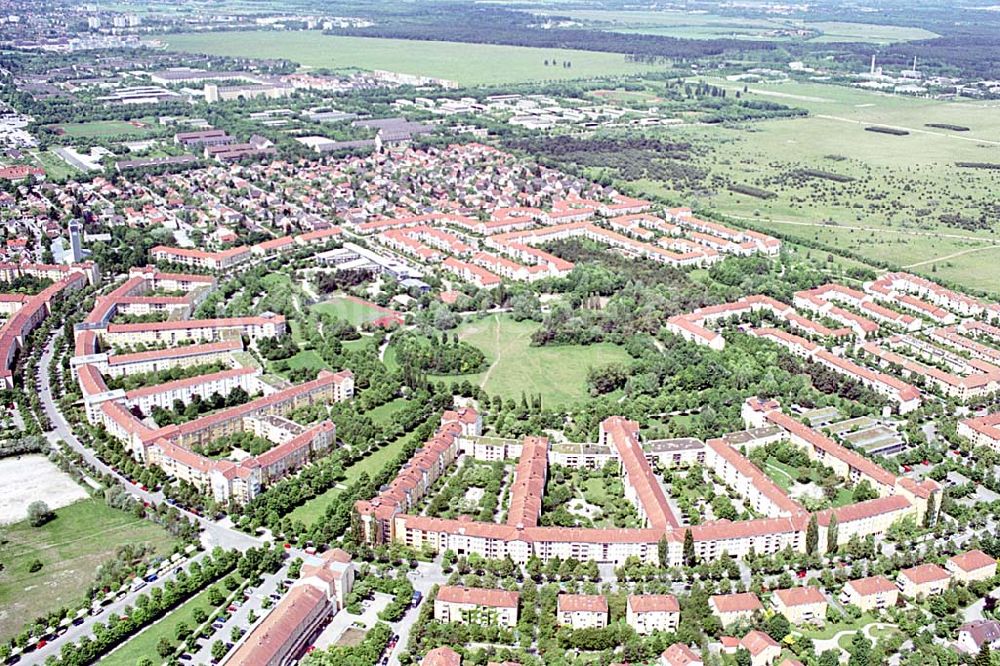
(901,187)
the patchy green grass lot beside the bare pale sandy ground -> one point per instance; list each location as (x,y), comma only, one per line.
(71,547)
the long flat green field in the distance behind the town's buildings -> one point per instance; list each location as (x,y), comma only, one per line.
(469,64)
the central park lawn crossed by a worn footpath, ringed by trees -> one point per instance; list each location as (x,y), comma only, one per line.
(558,372)
